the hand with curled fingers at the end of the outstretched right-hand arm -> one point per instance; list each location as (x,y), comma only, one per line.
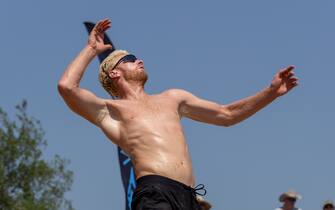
(284,81)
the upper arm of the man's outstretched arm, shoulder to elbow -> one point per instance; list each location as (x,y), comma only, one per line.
(204,111)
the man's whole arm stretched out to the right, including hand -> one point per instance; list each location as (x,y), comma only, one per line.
(230,114)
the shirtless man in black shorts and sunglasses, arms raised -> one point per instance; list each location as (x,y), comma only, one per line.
(147,127)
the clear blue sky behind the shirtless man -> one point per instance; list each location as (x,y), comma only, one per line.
(218,50)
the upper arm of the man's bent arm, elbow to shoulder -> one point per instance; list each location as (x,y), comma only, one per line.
(85,104)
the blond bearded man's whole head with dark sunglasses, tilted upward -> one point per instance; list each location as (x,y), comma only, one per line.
(121,66)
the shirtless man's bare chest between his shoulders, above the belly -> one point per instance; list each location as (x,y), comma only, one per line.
(150,119)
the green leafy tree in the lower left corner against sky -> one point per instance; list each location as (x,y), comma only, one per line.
(27,182)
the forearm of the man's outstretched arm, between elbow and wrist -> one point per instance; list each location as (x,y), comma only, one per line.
(242,109)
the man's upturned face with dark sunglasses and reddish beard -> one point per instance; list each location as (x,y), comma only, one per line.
(132,69)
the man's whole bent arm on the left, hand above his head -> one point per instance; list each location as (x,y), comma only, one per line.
(81,101)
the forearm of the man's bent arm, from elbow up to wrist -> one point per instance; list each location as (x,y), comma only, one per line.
(74,72)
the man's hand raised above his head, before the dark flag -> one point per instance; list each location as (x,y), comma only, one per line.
(96,38)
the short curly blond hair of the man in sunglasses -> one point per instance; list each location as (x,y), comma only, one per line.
(108,64)
